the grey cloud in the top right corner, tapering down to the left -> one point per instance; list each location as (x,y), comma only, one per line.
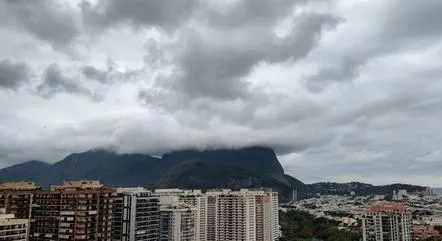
(405,25)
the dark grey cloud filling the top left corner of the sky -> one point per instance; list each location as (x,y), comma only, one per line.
(45,19)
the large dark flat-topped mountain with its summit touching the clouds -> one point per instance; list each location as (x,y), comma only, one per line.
(219,168)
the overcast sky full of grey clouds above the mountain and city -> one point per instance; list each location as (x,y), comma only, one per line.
(343,90)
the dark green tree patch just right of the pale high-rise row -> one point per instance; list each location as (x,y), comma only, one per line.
(302,226)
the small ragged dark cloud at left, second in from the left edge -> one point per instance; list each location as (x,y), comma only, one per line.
(54,82)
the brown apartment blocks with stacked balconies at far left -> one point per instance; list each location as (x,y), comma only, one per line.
(76,210)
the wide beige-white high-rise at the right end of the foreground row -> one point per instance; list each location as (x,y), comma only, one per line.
(243,215)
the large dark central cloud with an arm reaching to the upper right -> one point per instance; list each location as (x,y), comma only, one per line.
(214,70)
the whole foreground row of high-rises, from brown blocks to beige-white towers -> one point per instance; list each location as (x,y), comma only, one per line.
(85,210)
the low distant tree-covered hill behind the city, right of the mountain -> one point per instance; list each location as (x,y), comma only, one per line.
(360,189)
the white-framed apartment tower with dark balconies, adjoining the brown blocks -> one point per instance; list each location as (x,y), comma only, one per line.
(136,215)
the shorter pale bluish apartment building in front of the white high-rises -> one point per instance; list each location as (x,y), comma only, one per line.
(177,222)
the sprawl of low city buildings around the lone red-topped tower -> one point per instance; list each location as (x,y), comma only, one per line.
(348,211)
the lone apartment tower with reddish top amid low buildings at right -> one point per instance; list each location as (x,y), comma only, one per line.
(387,222)
